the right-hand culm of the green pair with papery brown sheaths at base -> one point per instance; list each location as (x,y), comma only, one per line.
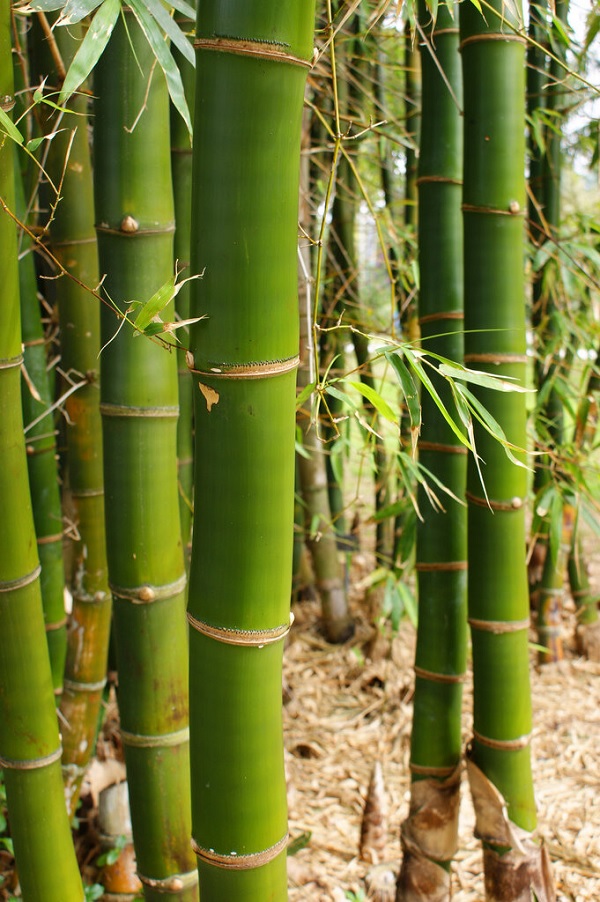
(499,761)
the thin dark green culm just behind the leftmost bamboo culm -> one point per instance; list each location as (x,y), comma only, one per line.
(37,399)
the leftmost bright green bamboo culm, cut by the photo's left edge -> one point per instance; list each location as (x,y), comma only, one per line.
(29,741)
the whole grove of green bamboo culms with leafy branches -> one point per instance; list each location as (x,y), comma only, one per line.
(264,305)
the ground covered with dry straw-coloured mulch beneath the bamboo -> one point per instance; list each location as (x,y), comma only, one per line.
(347,707)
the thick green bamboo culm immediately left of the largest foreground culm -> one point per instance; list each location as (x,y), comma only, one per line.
(139,410)
